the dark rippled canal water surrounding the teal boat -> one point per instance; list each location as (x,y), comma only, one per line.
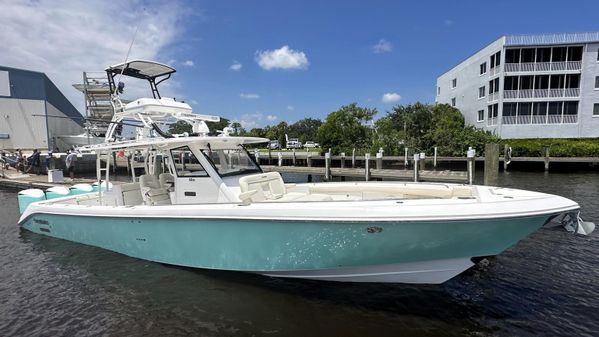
(545,285)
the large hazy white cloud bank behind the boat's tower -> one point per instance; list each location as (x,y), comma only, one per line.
(64,39)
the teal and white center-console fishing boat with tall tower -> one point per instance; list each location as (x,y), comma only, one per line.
(204,202)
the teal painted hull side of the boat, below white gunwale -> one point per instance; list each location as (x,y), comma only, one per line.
(293,248)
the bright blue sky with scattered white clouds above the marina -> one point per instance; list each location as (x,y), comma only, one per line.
(263,62)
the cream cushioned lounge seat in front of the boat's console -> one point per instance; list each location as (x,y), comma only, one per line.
(270,187)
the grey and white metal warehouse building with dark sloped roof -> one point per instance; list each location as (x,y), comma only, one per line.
(33,112)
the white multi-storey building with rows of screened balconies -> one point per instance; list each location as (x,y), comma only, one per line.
(529,86)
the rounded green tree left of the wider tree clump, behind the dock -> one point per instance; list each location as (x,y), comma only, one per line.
(346,129)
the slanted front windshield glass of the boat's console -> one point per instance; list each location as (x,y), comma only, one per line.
(231,162)
